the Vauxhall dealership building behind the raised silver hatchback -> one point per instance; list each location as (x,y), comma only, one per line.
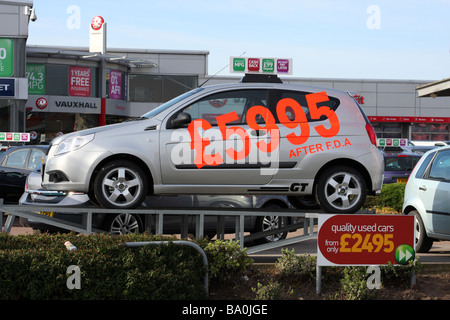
(73,88)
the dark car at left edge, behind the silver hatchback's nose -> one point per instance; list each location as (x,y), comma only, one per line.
(15,165)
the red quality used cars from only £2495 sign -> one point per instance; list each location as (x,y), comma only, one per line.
(363,239)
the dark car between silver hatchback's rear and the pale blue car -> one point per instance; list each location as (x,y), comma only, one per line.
(398,165)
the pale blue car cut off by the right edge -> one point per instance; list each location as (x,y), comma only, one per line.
(427,197)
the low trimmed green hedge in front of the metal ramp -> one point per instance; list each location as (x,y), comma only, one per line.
(36,267)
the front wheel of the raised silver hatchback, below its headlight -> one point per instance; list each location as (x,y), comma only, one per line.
(120,185)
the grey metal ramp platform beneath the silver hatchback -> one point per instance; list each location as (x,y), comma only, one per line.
(36,213)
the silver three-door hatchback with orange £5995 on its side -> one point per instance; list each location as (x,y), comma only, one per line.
(246,138)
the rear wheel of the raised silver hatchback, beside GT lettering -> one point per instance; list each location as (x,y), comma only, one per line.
(341,189)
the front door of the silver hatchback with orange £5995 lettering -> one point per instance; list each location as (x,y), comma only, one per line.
(217,147)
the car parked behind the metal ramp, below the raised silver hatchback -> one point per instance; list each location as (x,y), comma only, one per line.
(126,223)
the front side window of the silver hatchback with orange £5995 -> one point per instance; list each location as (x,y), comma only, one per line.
(239,101)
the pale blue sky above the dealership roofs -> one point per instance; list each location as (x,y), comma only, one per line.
(353,39)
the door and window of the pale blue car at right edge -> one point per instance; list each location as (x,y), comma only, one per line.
(434,190)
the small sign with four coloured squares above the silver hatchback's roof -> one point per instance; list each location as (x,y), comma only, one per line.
(261,65)
